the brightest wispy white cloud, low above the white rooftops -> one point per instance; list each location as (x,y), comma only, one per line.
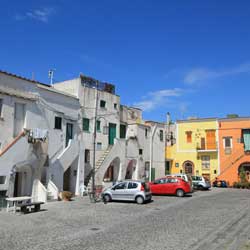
(158,99)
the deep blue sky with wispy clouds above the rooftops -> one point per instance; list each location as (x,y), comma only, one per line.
(189,58)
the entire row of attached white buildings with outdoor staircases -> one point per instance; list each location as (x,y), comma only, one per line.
(47,137)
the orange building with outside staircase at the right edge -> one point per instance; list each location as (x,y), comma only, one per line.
(234,148)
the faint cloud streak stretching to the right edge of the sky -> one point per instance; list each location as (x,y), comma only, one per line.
(196,76)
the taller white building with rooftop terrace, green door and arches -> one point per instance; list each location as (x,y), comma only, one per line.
(126,147)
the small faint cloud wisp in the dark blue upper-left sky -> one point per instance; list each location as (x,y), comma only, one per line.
(41,15)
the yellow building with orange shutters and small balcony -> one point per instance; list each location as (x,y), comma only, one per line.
(192,148)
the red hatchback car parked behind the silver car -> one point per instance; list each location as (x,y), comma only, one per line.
(170,185)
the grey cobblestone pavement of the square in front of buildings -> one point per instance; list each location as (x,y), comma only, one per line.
(216,219)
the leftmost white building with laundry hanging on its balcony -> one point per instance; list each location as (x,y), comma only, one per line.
(40,144)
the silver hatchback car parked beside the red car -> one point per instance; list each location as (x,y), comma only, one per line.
(129,190)
